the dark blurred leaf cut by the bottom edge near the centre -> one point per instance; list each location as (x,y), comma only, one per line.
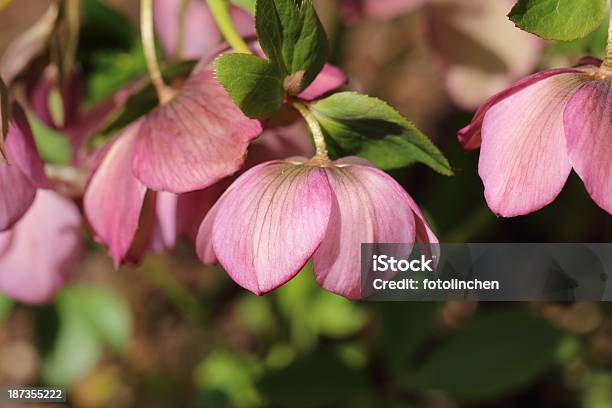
(312,381)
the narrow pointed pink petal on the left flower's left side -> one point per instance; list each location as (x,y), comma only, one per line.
(114,197)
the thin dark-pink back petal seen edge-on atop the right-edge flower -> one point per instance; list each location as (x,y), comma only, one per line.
(470,136)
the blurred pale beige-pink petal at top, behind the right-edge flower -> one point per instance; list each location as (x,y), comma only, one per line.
(477,64)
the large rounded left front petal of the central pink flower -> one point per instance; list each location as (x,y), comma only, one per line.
(269,223)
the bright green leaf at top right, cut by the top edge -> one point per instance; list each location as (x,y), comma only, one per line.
(558,19)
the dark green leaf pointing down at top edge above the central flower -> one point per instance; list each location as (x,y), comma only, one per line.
(292,36)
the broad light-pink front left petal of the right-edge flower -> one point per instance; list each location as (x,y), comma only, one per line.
(523,159)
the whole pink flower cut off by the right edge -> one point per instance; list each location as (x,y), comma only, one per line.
(533,134)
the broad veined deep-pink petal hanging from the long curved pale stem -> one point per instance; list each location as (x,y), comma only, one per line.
(195,140)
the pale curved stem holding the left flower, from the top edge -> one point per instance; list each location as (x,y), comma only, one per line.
(164,93)
